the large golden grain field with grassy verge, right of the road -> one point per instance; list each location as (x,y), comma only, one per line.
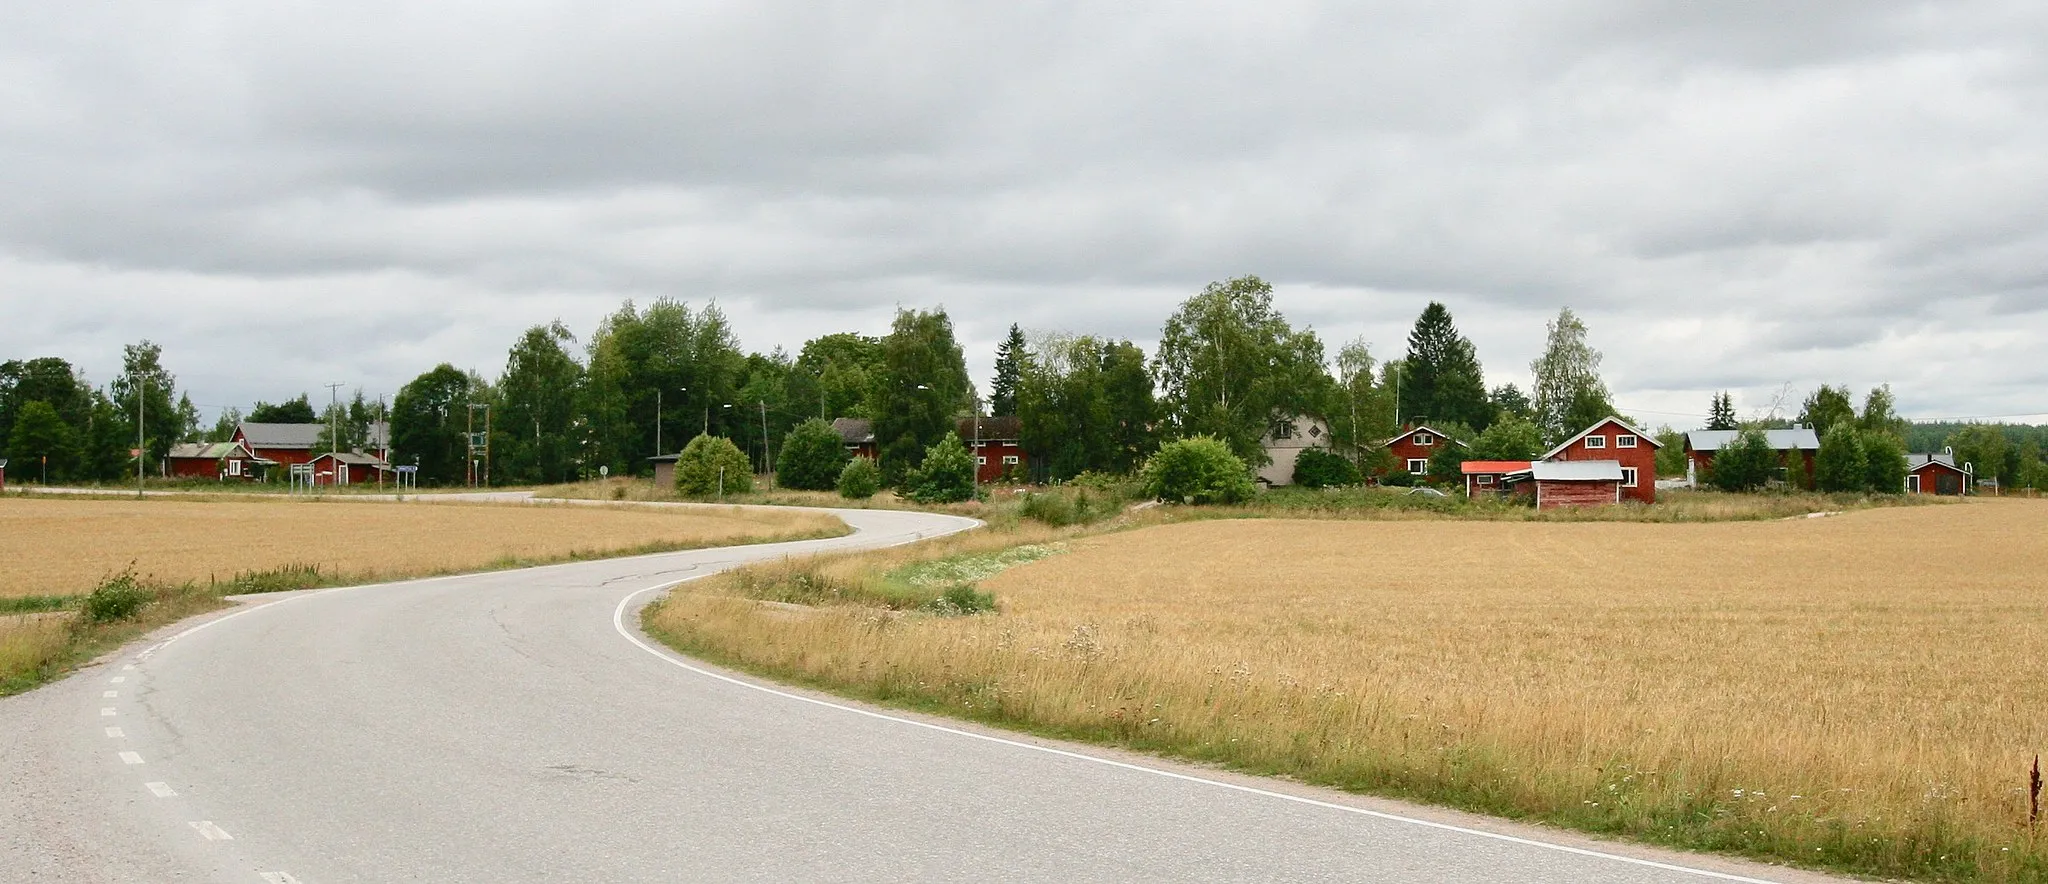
(1859,693)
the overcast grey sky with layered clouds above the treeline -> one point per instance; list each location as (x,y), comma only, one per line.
(1736,195)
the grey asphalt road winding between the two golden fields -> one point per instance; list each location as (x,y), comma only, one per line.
(515,727)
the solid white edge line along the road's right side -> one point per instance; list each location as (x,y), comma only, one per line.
(620,623)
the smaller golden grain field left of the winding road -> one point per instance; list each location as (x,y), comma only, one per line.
(60,547)
